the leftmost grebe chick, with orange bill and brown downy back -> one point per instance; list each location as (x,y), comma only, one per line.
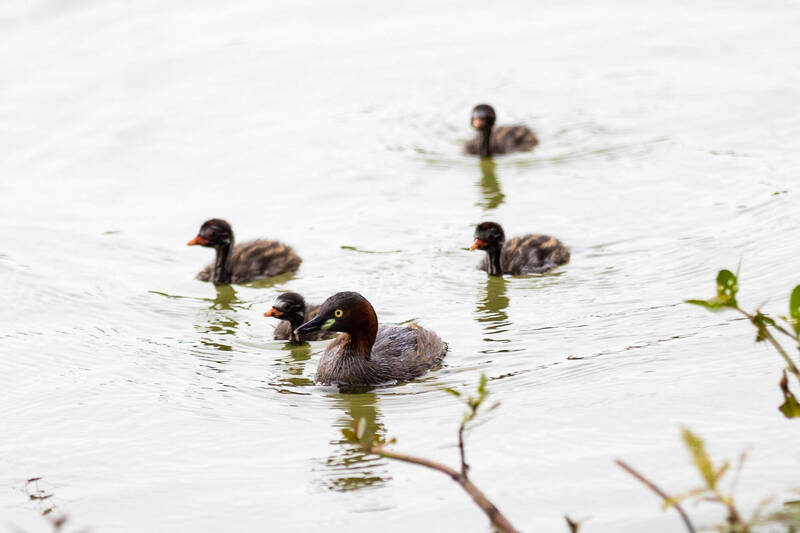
(250,261)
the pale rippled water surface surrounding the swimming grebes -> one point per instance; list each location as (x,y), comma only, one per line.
(152,402)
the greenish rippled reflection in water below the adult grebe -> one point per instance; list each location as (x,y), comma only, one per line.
(348,467)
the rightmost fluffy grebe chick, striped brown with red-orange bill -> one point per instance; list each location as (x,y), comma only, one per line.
(529,254)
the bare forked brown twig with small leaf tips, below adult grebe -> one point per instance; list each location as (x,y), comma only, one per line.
(374,444)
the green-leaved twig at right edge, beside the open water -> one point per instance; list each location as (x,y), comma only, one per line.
(766,328)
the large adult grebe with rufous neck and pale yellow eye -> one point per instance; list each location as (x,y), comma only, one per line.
(365,354)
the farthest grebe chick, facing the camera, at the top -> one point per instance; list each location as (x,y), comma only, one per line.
(501,140)
